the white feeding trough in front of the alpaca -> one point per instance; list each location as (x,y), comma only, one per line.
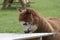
(16,36)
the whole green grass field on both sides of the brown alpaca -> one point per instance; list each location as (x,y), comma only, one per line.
(9,17)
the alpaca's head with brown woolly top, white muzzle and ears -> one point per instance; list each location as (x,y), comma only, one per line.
(26,18)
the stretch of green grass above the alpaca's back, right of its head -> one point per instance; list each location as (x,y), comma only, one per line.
(47,7)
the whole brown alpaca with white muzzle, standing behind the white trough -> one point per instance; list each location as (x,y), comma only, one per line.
(33,22)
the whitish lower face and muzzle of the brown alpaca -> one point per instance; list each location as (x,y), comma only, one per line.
(28,27)
